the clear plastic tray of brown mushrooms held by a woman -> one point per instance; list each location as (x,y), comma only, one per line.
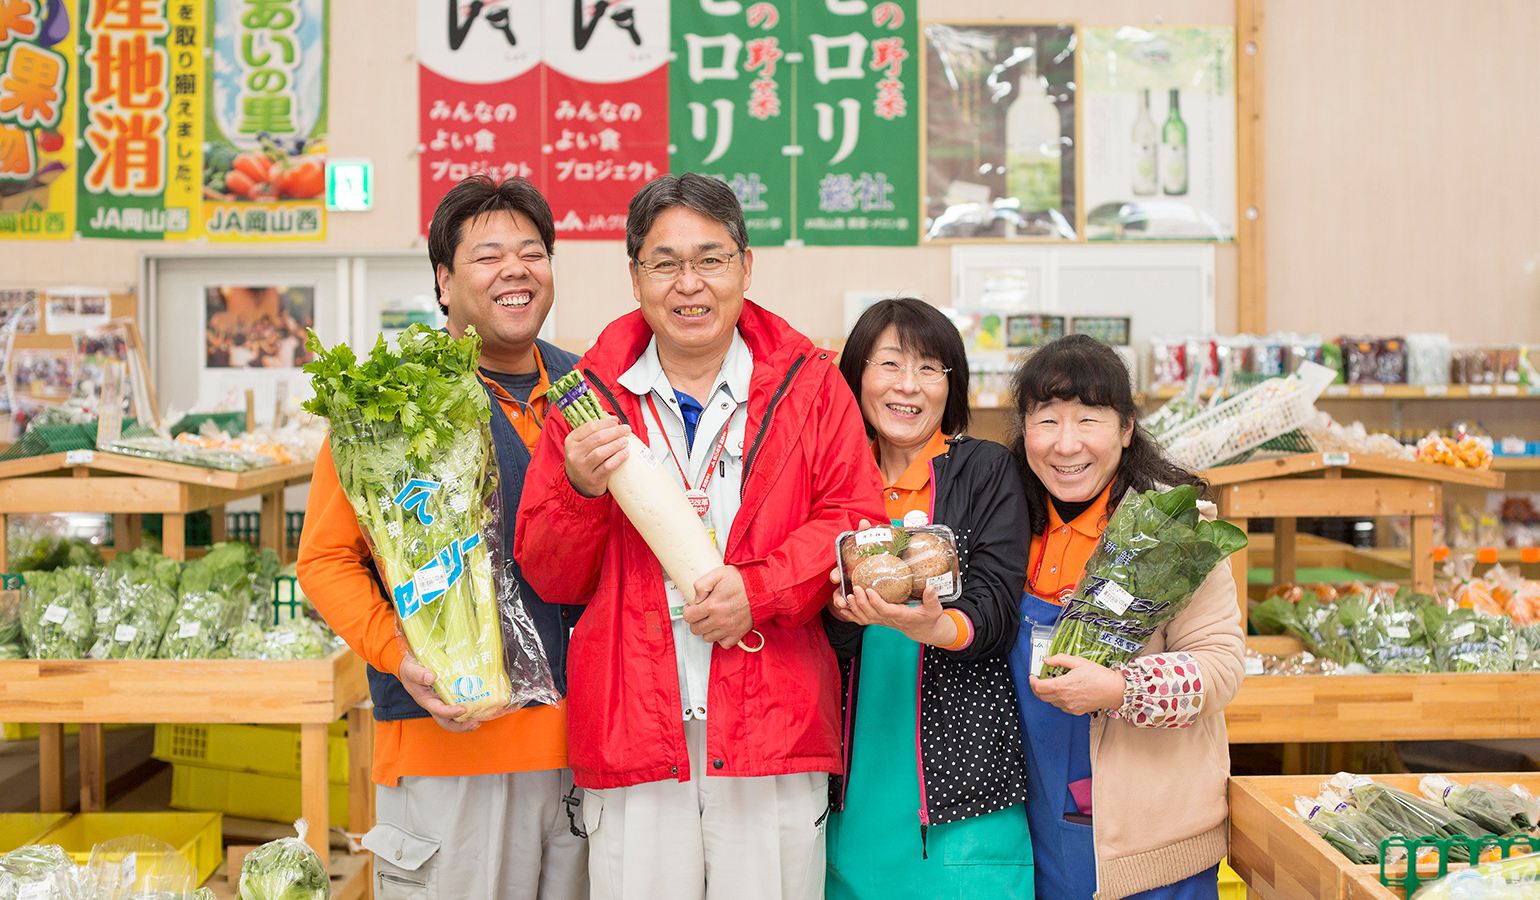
(899,563)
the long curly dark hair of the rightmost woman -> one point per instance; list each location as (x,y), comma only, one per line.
(1079,368)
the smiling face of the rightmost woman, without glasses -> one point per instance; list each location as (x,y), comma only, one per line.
(1074,449)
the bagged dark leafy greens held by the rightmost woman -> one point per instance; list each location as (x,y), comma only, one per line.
(1151,560)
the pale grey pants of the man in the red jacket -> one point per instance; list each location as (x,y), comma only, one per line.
(711,838)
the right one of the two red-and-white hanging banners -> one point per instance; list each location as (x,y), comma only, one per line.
(606,112)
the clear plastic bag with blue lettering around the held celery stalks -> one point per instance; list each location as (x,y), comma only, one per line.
(437,539)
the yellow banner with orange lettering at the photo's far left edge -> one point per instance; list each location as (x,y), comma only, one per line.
(38,121)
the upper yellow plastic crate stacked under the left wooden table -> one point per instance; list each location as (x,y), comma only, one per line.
(264,750)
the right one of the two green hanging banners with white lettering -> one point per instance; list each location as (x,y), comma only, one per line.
(859,124)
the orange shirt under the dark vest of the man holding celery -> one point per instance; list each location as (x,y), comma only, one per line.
(333,568)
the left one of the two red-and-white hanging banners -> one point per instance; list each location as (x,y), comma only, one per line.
(480,95)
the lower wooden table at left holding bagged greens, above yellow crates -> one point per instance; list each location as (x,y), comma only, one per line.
(309,693)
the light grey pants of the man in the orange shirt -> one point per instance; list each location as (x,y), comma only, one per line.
(478,838)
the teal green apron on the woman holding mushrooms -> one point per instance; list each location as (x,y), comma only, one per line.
(875,848)
